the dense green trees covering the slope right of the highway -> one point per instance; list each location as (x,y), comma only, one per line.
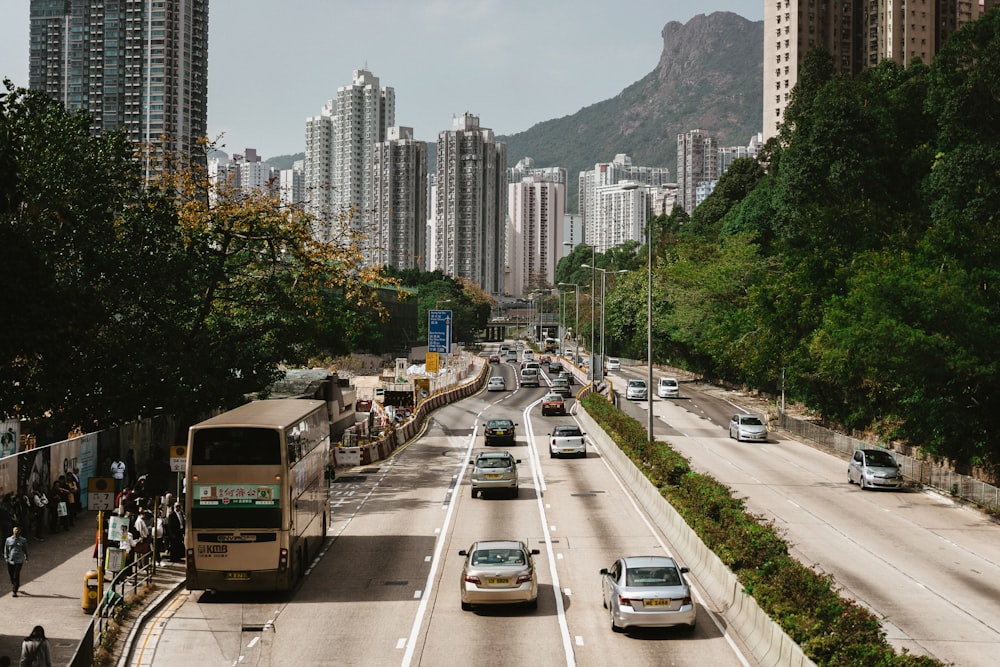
(859,257)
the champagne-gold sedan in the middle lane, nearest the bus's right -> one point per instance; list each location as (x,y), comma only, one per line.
(499,572)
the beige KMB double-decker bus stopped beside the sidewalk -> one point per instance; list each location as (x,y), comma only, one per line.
(257,496)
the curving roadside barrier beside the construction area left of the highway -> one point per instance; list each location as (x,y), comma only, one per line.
(395,435)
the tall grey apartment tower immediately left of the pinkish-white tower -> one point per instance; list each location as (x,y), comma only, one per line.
(471,204)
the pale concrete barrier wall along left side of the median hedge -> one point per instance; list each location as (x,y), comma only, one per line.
(764,638)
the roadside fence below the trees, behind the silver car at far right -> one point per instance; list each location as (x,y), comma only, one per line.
(928,473)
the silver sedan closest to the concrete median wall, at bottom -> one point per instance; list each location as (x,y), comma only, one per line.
(647,592)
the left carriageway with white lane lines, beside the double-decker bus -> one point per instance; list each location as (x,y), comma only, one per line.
(385,590)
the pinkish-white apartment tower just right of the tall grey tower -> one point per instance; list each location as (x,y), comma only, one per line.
(537,207)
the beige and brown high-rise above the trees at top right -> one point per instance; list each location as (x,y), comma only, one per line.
(857,33)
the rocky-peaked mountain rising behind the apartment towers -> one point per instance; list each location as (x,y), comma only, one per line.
(709,77)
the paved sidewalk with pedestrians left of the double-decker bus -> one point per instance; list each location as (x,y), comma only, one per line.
(52,588)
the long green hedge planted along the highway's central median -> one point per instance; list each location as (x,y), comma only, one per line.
(832,631)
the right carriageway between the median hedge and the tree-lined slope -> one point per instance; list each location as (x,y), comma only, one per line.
(929,567)
